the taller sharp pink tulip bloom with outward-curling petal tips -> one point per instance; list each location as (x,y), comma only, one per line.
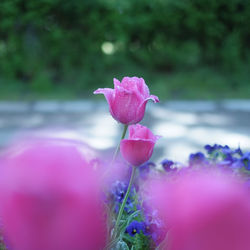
(127,101)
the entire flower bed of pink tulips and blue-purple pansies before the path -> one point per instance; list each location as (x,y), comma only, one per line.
(61,194)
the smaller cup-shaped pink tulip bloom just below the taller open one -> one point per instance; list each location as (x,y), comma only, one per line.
(138,148)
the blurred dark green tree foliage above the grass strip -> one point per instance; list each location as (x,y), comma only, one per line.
(53,40)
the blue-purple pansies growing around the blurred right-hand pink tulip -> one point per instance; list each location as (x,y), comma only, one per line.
(149,223)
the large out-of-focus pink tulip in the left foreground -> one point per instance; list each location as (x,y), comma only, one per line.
(50,199)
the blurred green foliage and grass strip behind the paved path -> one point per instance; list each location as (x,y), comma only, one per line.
(186,49)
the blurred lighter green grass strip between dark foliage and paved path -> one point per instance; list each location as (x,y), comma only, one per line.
(199,83)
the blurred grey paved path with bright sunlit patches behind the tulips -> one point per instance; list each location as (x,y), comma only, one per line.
(185,126)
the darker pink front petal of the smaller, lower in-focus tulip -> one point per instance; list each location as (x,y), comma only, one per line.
(136,152)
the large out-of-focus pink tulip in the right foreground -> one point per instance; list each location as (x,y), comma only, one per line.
(203,211)
